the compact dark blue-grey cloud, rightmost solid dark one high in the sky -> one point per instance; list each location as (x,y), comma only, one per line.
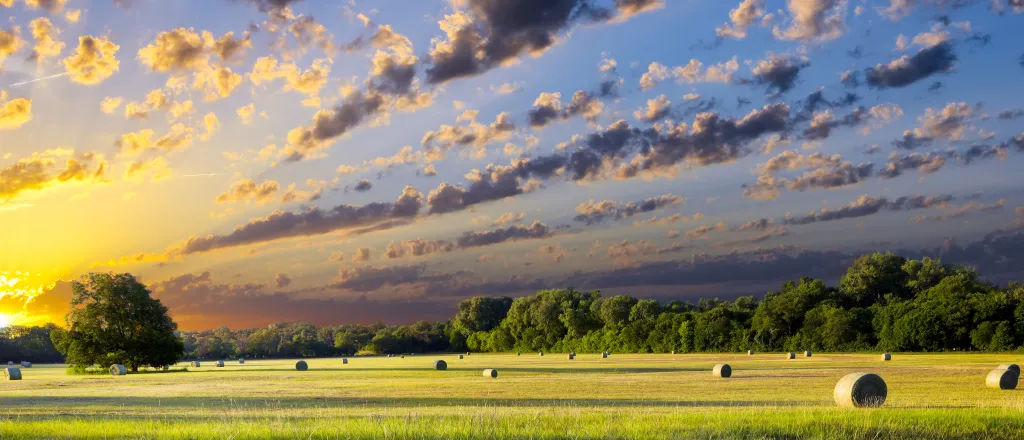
(912,69)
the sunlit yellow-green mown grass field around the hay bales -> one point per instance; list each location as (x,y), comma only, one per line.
(624,397)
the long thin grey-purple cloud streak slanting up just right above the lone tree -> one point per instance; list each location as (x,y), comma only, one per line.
(314,222)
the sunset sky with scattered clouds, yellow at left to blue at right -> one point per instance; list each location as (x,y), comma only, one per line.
(364,161)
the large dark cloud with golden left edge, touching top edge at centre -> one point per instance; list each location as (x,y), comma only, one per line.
(485,34)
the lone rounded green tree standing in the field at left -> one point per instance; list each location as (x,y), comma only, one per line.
(115,320)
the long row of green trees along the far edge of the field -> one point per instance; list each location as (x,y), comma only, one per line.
(883,303)
